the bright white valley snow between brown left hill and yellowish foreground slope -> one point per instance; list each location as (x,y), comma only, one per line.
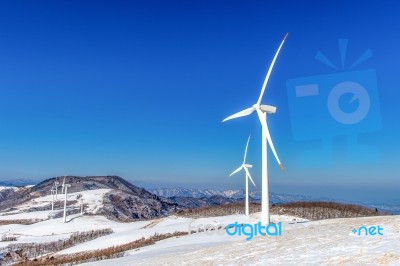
(55,229)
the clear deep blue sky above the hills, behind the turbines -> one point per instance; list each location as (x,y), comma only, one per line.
(139,89)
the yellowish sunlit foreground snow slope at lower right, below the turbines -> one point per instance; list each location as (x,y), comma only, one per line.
(328,242)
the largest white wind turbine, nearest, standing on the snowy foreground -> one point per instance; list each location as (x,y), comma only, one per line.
(262,111)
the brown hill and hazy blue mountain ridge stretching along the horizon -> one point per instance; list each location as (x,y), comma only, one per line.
(127,202)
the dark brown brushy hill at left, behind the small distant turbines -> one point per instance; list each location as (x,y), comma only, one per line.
(123,201)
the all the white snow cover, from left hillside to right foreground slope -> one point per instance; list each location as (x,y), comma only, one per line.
(328,242)
